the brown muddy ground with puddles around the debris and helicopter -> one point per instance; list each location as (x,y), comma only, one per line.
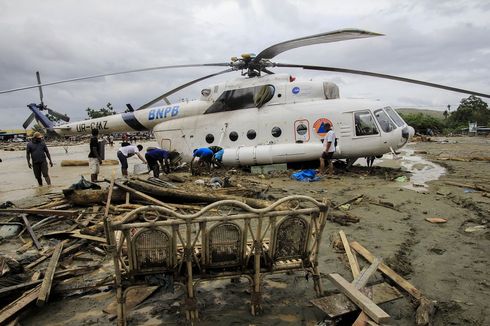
(448,262)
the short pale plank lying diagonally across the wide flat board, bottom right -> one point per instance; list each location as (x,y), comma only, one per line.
(366,304)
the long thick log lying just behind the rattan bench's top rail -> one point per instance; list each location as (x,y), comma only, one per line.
(194,197)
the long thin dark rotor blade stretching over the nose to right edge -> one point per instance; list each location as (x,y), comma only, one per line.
(385,76)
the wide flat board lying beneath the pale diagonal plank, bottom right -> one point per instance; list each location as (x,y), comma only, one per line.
(338,304)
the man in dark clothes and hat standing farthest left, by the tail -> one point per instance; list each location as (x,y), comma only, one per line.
(38,150)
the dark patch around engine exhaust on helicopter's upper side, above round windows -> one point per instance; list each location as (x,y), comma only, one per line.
(242,98)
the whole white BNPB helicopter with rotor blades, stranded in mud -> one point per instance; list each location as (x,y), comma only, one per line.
(262,117)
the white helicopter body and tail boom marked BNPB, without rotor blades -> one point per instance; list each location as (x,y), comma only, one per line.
(288,126)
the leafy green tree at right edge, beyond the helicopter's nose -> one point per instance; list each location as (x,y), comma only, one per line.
(471,109)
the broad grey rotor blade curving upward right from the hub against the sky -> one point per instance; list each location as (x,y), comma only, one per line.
(335,36)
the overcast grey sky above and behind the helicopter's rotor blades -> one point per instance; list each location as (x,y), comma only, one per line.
(443,41)
